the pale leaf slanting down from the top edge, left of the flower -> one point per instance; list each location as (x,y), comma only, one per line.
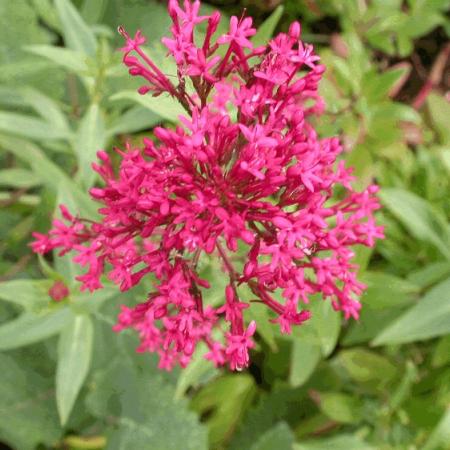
(77,34)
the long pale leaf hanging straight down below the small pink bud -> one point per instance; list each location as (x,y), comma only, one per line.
(74,359)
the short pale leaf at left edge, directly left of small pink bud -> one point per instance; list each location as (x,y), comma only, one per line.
(30,294)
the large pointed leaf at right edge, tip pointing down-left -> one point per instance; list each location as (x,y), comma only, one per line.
(430,317)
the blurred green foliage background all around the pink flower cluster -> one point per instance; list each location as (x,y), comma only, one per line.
(380,383)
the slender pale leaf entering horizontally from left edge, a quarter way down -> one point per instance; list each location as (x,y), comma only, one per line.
(30,127)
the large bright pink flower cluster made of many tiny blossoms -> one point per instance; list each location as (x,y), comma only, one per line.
(243,178)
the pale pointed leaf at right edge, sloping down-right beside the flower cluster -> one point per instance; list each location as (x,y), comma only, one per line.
(418,217)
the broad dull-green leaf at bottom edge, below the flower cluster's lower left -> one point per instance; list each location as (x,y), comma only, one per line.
(140,405)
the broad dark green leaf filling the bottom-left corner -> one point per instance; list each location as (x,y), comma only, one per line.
(27,413)
